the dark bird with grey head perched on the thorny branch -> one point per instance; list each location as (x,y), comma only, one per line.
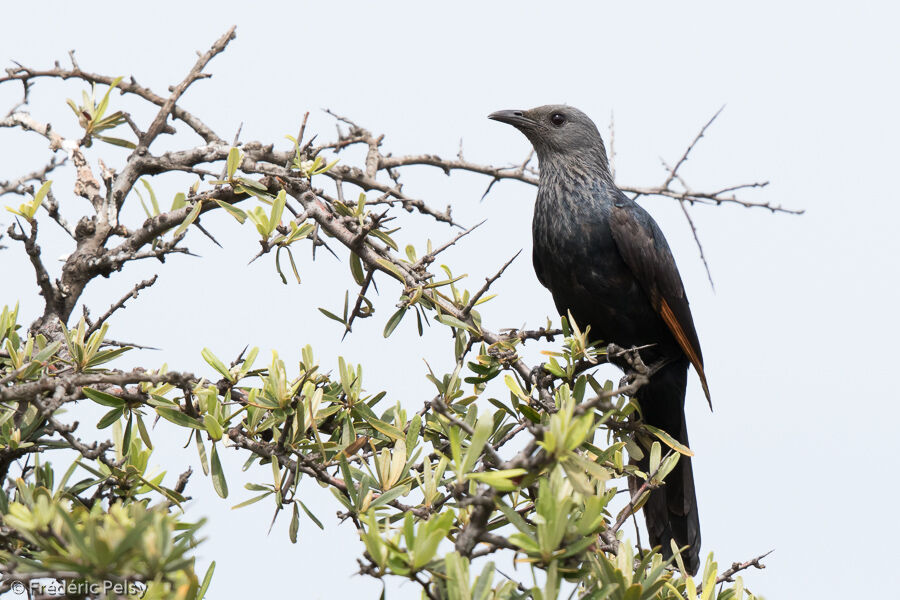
(606,262)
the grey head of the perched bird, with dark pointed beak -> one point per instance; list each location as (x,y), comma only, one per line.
(559,133)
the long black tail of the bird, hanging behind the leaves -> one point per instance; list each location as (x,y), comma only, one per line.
(671,511)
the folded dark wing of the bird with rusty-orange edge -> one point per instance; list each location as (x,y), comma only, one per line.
(645,251)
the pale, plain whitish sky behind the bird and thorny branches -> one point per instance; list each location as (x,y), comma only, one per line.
(798,337)
